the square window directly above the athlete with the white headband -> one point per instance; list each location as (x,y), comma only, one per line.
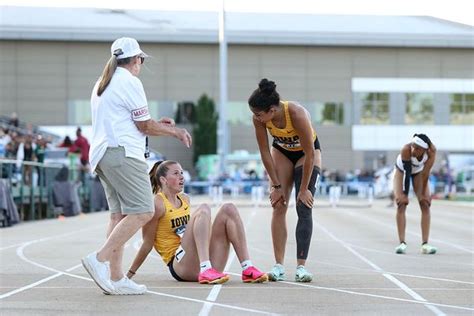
(419,108)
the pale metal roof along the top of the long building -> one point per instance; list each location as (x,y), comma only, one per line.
(88,24)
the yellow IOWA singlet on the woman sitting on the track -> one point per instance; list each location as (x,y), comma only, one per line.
(171,227)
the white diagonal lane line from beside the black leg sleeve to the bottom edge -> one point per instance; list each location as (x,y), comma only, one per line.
(389,277)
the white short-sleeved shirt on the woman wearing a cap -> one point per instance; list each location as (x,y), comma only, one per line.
(113,115)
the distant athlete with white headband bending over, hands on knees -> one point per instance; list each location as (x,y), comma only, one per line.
(414,165)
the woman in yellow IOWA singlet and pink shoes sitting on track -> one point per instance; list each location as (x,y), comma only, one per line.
(193,248)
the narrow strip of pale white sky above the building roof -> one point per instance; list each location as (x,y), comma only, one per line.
(453,10)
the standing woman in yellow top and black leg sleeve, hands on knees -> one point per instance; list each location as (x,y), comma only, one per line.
(295,156)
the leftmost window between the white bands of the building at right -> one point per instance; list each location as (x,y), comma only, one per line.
(375,109)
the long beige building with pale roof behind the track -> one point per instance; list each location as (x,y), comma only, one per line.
(366,97)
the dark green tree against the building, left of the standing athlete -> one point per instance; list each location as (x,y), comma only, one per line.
(205,128)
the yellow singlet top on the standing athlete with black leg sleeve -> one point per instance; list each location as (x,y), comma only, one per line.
(287,137)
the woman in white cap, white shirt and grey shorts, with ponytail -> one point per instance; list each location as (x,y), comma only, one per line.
(121,123)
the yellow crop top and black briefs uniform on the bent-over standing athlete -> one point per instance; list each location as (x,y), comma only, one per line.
(287,140)
